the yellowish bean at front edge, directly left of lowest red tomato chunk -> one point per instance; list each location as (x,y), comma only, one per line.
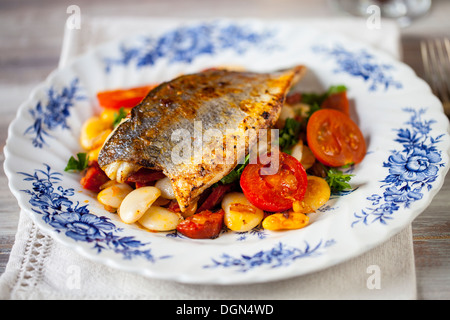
(160,219)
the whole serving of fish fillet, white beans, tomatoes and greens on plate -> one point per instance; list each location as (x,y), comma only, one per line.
(294,149)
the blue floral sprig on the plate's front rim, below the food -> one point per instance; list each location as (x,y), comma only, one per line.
(280,255)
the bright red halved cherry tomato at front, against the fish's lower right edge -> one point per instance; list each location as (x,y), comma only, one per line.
(278,191)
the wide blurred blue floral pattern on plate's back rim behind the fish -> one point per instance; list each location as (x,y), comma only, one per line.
(184,44)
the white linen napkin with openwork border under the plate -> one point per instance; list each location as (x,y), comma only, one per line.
(41,268)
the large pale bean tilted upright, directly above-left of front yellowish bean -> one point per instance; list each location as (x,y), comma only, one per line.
(137,202)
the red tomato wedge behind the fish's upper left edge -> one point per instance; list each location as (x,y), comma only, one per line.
(127,98)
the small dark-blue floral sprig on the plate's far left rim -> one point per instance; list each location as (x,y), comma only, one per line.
(54,113)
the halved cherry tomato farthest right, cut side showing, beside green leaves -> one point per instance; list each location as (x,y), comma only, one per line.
(334,138)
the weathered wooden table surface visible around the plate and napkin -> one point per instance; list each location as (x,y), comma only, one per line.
(31,34)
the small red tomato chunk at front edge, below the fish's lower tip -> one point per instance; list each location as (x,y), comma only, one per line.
(202,225)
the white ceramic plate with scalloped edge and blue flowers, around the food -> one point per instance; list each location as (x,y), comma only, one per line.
(405,128)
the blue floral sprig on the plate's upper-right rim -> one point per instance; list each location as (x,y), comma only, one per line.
(361,64)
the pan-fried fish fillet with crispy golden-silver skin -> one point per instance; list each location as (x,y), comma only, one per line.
(228,101)
